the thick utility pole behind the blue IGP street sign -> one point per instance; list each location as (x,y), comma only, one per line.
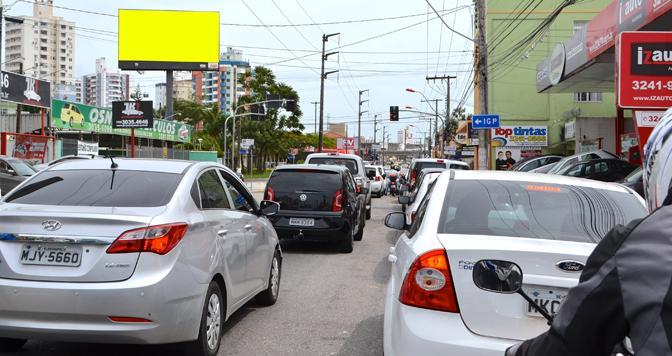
(481,81)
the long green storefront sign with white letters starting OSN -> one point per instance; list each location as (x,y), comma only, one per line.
(79,117)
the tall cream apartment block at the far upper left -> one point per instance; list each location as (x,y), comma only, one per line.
(43,46)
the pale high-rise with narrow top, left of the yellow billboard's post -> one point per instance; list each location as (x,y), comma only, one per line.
(105,86)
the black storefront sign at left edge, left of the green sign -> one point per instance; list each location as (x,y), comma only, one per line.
(25,90)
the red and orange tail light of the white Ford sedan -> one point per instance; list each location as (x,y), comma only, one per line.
(429,284)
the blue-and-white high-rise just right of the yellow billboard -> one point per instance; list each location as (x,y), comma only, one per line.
(223,87)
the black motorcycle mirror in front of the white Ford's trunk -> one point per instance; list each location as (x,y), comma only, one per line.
(498,276)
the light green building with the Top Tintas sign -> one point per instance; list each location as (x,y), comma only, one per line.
(532,122)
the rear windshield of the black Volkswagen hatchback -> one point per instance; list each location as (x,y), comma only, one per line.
(305,179)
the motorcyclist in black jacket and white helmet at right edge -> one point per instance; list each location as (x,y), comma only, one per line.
(626,288)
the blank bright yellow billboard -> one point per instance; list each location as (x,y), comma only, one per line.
(168,40)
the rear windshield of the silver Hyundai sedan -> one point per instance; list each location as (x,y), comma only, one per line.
(108,188)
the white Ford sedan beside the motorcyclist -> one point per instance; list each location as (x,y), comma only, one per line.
(548,225)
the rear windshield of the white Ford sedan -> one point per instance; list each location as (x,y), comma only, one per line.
(535,210)
